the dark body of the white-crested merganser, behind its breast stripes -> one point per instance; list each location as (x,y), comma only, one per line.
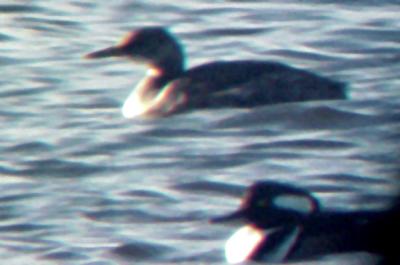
(374,232)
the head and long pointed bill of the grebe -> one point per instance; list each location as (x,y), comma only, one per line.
(152,45)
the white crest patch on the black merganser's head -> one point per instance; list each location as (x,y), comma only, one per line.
(297,203)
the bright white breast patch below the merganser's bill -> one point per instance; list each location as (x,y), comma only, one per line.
(242,243)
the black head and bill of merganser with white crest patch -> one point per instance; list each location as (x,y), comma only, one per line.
(269,205)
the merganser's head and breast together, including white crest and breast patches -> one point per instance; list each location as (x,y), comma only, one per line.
(274,214)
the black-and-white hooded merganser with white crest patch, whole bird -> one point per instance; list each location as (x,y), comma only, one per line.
(284,223)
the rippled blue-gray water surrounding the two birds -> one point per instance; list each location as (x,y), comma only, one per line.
(79,184)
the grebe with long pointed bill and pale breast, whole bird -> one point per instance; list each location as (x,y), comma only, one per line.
(168,88)
